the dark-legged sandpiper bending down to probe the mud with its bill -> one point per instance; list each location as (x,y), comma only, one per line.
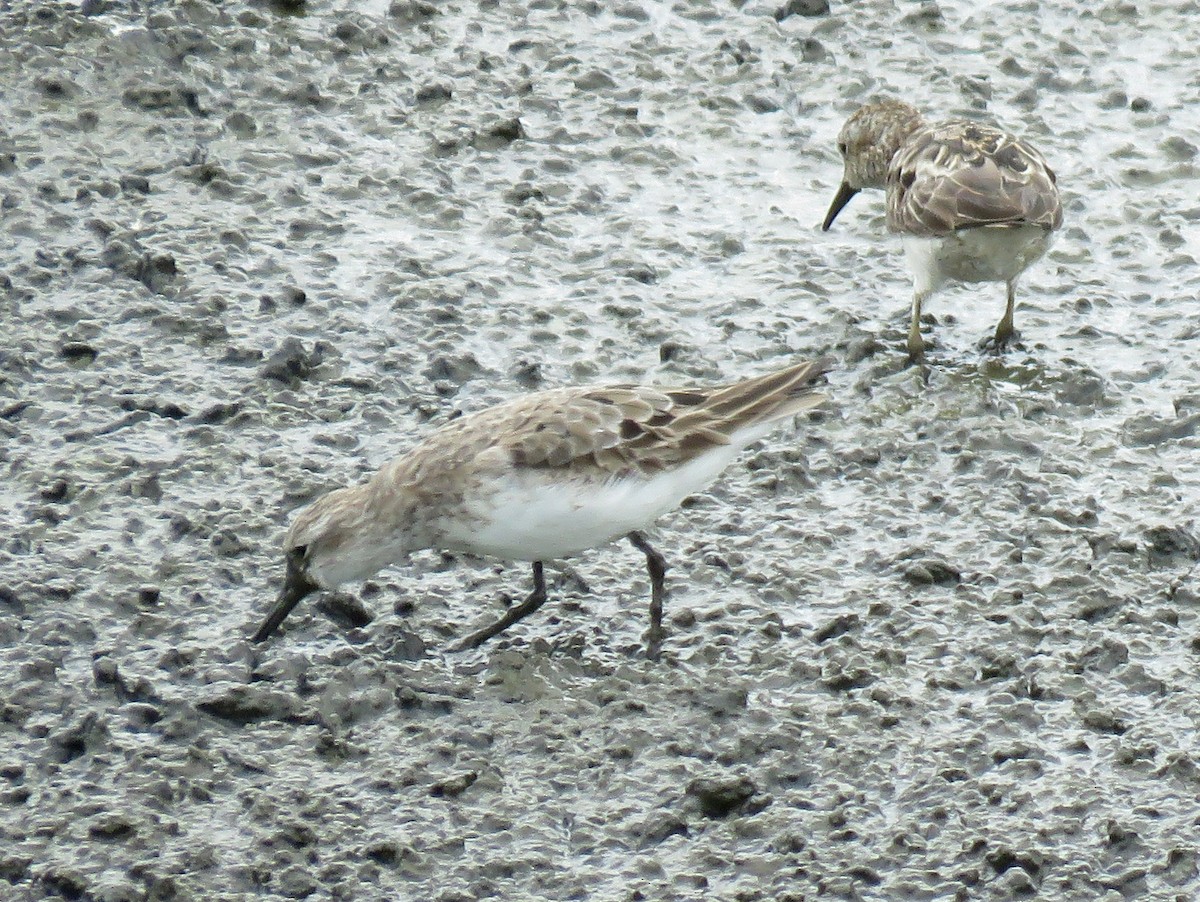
(541,478)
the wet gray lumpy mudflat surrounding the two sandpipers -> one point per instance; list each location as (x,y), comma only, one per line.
(940,642)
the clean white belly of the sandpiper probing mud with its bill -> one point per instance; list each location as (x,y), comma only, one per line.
(543,515)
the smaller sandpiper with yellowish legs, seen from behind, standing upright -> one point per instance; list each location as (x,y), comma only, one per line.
(974,203)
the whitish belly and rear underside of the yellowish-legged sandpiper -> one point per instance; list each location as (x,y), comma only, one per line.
(992,254)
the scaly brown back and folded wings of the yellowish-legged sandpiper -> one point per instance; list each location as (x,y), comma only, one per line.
(962,176)
